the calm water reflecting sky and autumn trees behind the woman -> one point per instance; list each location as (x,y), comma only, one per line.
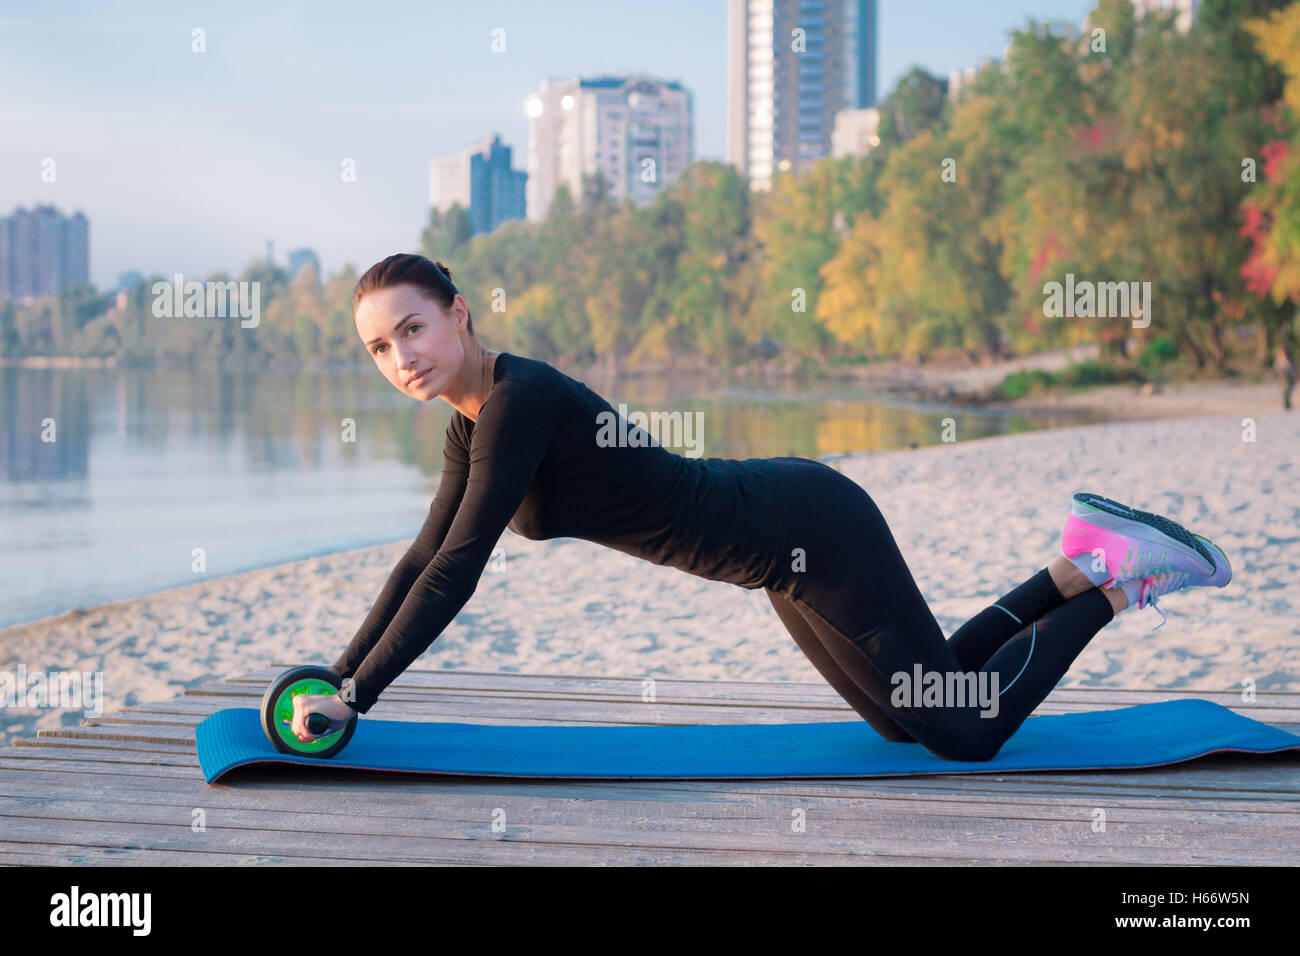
(148,466)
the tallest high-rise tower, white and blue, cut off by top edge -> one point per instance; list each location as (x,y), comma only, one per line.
(791,67)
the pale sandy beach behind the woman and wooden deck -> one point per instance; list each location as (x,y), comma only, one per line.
(973,520)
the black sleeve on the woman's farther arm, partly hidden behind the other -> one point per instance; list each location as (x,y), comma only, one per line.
(452,490)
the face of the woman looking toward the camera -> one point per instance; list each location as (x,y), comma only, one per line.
(408,335)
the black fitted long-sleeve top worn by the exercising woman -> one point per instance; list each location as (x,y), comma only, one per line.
(547,461)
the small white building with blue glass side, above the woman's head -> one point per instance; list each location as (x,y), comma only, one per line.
(482,180)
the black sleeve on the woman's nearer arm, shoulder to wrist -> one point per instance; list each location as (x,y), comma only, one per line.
(508,444)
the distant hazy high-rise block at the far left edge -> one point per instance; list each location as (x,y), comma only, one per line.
(42,253)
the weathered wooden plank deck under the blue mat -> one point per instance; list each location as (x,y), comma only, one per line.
(125,789)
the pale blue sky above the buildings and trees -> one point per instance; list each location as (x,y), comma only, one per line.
(192,162)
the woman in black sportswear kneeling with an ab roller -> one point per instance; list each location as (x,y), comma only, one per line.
(526,449)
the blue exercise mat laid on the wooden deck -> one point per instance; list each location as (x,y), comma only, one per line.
(1141,737)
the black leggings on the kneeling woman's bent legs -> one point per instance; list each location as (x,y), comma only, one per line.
(853,608)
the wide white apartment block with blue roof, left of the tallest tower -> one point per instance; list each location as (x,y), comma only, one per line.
(635,129)
